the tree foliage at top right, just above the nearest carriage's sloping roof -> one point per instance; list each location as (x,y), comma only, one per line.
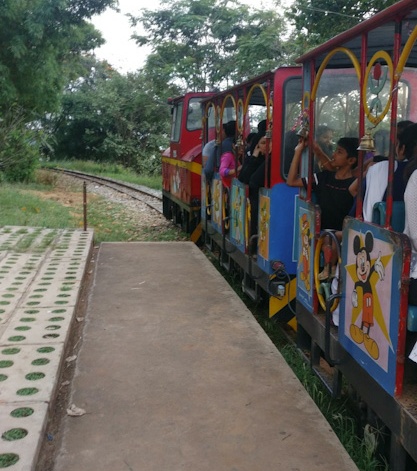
(314,22)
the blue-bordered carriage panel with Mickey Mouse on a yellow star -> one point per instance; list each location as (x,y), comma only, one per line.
(373,308)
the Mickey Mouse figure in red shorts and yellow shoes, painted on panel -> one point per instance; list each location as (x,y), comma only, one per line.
(364,271)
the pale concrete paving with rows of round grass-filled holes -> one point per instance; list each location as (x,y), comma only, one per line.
(40,279)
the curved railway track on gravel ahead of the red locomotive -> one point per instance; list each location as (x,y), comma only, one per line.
(148,196)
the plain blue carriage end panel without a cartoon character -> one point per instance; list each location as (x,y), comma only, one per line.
(276,227)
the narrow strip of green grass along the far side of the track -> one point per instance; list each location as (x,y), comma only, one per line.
(109,170)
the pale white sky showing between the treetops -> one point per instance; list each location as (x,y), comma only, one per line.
(120,51)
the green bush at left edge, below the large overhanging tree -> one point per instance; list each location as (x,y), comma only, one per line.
(19,147)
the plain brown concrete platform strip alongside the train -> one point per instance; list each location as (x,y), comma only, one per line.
(175,374)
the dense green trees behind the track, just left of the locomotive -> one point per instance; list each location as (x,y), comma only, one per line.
(109,117)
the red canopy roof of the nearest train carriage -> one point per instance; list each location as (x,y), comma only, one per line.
(380,29)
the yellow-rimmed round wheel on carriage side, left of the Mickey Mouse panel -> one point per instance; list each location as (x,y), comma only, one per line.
(324,272)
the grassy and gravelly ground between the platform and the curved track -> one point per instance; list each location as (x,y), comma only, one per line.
(29,205)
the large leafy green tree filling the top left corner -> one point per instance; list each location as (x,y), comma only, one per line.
(41,43)
